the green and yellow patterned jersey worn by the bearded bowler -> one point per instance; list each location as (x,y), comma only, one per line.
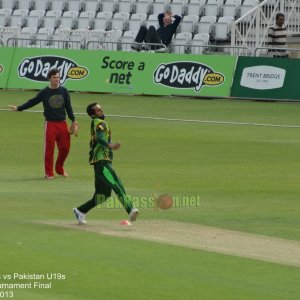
(100,138)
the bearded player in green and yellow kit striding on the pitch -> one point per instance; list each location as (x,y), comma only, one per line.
(100,156)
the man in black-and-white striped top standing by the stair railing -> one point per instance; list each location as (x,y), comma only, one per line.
(277,35)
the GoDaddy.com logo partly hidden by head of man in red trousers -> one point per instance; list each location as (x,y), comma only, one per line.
(37,68)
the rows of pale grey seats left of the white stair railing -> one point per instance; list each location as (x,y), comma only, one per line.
(73,19)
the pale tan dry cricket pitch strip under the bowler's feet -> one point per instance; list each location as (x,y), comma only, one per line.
(201,237)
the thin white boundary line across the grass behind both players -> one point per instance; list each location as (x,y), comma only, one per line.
(186,120)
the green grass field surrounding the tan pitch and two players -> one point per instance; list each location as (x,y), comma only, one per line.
(245,175)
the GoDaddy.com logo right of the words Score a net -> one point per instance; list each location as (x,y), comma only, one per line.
(185,75)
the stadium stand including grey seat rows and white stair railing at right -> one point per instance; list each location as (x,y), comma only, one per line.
(211,18)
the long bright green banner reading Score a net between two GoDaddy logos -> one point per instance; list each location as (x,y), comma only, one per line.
(124,72)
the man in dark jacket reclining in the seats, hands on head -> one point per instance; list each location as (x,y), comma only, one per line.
(162,35)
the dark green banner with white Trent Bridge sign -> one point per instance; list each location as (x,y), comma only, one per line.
(266,78)
